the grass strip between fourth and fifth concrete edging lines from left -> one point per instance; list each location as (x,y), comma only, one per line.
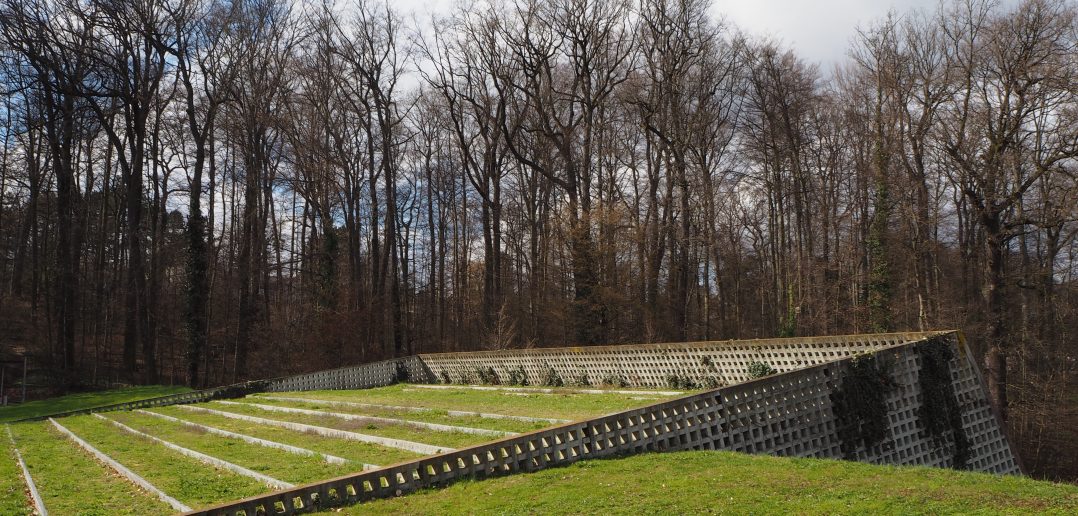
(362,453)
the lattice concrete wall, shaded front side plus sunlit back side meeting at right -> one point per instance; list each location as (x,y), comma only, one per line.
(796,414)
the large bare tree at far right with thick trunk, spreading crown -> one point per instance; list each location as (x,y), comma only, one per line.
(1004,131)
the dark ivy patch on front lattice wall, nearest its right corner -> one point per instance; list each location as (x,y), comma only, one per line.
(941,413)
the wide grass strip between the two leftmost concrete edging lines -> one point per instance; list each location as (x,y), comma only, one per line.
(72,482)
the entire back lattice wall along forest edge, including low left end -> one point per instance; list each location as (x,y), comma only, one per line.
(637,365)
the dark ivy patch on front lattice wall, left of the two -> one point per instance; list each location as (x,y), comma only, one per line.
(861,405)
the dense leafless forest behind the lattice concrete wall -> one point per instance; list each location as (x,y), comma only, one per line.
(209,191)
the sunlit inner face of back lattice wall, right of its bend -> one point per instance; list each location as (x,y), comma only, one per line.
(710,364)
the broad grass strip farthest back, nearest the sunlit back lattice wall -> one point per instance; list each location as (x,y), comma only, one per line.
(562,406)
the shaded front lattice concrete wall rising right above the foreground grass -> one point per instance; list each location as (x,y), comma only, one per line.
(791,414)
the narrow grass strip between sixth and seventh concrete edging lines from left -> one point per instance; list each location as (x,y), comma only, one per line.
(434,416)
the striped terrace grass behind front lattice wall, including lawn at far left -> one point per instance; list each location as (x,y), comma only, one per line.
(74,483)
